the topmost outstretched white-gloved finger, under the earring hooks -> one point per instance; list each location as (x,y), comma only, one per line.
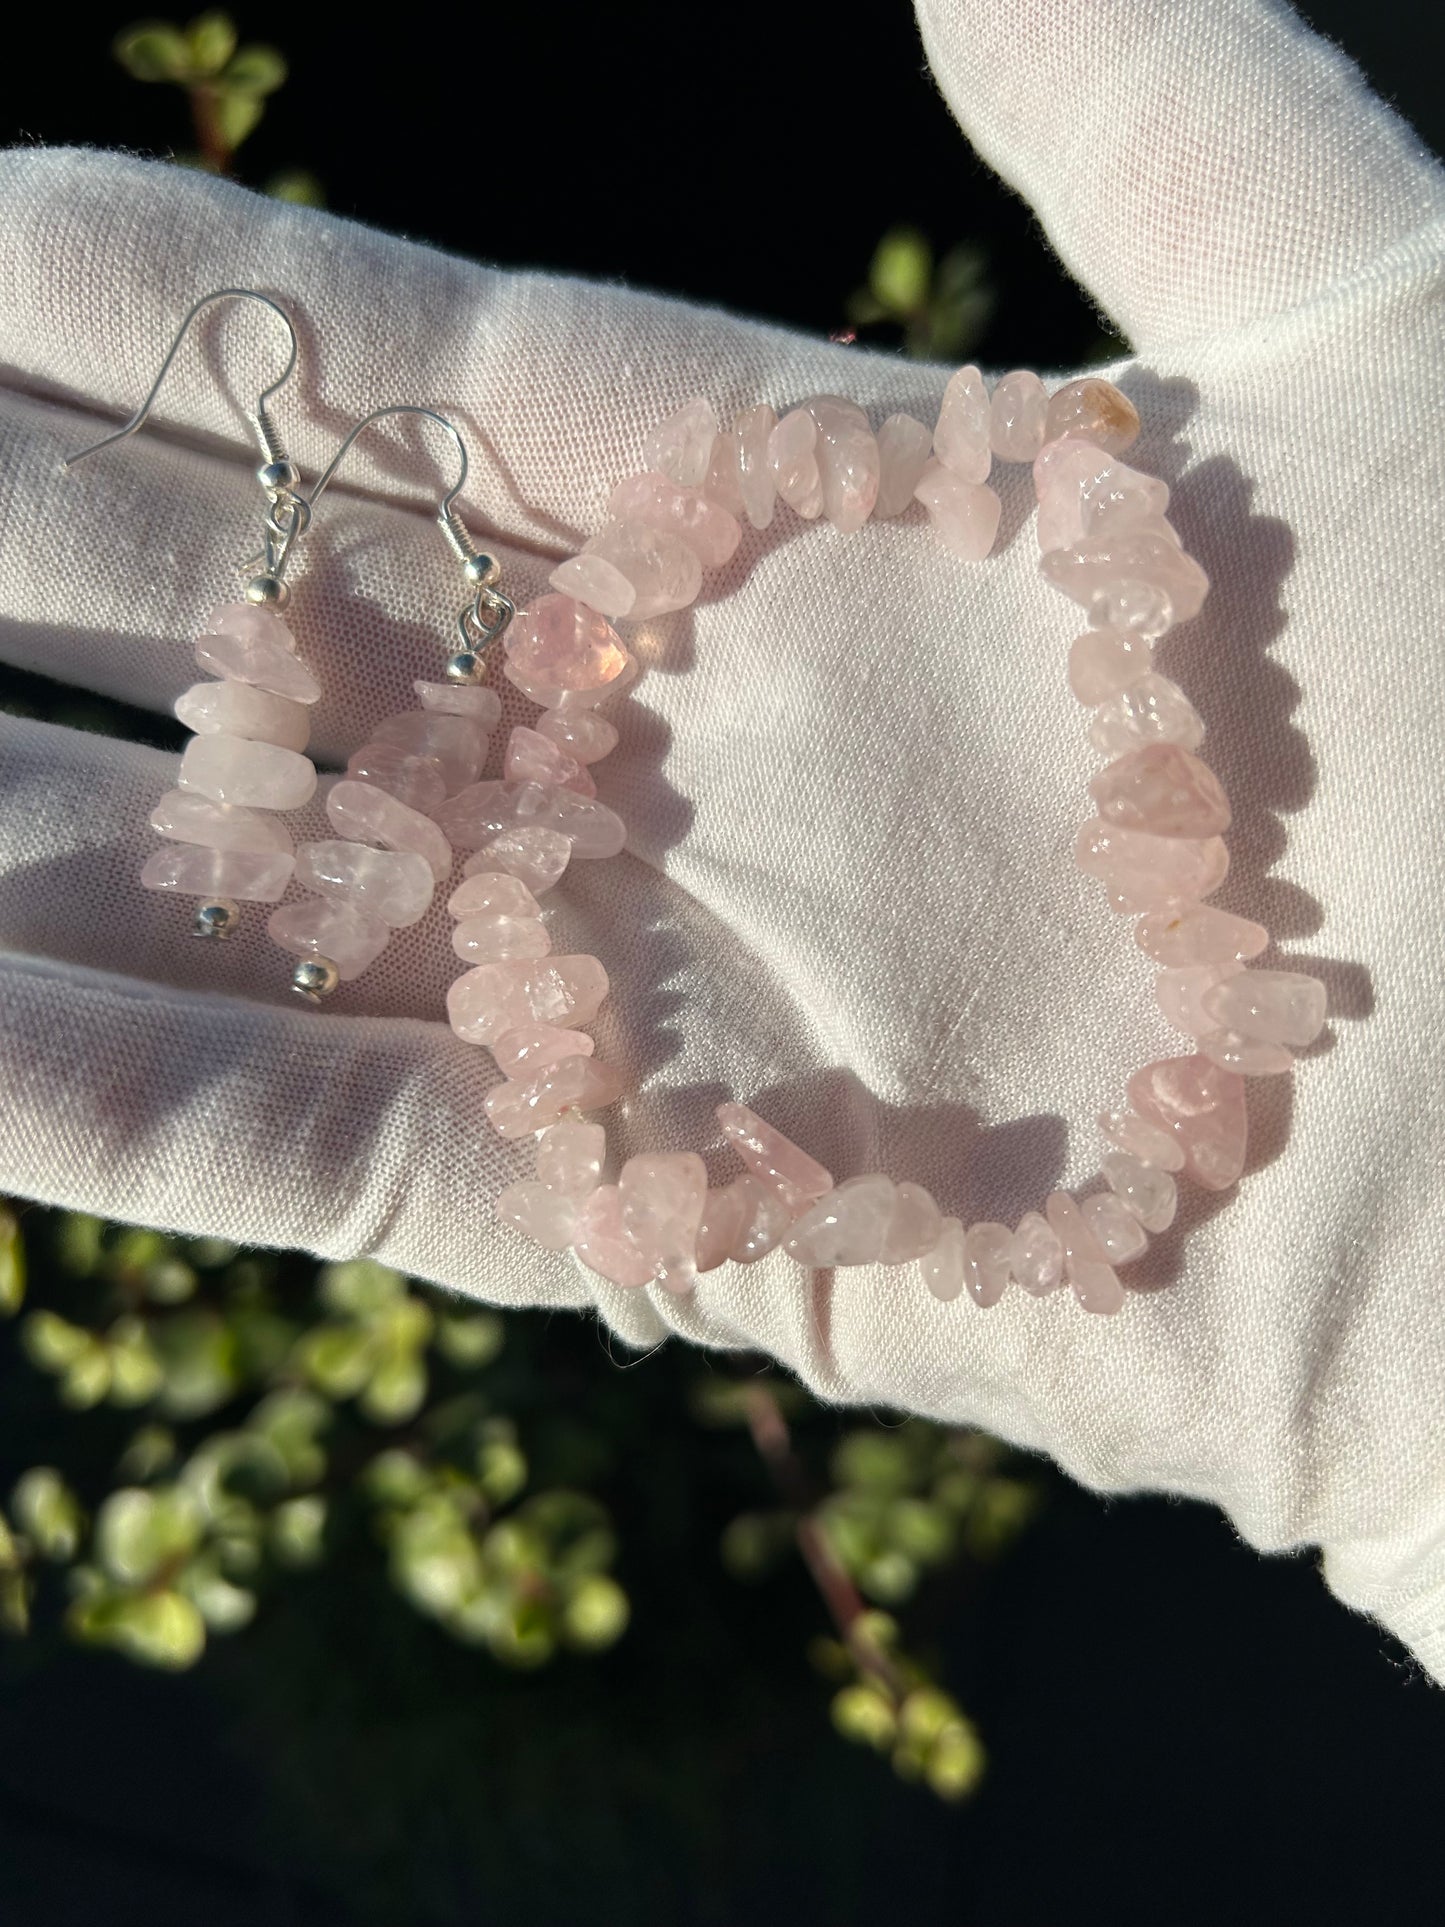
(554,383)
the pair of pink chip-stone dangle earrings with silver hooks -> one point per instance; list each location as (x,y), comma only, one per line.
(248,766)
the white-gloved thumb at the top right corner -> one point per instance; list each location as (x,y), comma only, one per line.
(1199,165)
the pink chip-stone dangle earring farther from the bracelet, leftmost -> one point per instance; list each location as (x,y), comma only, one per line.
(246,764)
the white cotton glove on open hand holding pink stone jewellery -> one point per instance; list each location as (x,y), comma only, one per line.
(853,776)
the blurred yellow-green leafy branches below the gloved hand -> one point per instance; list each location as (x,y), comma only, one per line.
(259,1417)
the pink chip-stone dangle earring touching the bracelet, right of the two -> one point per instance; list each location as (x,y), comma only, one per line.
(388,857)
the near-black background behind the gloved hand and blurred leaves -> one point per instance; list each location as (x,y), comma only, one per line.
(1178,1729)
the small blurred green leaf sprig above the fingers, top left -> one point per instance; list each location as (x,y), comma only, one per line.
(224,84)
